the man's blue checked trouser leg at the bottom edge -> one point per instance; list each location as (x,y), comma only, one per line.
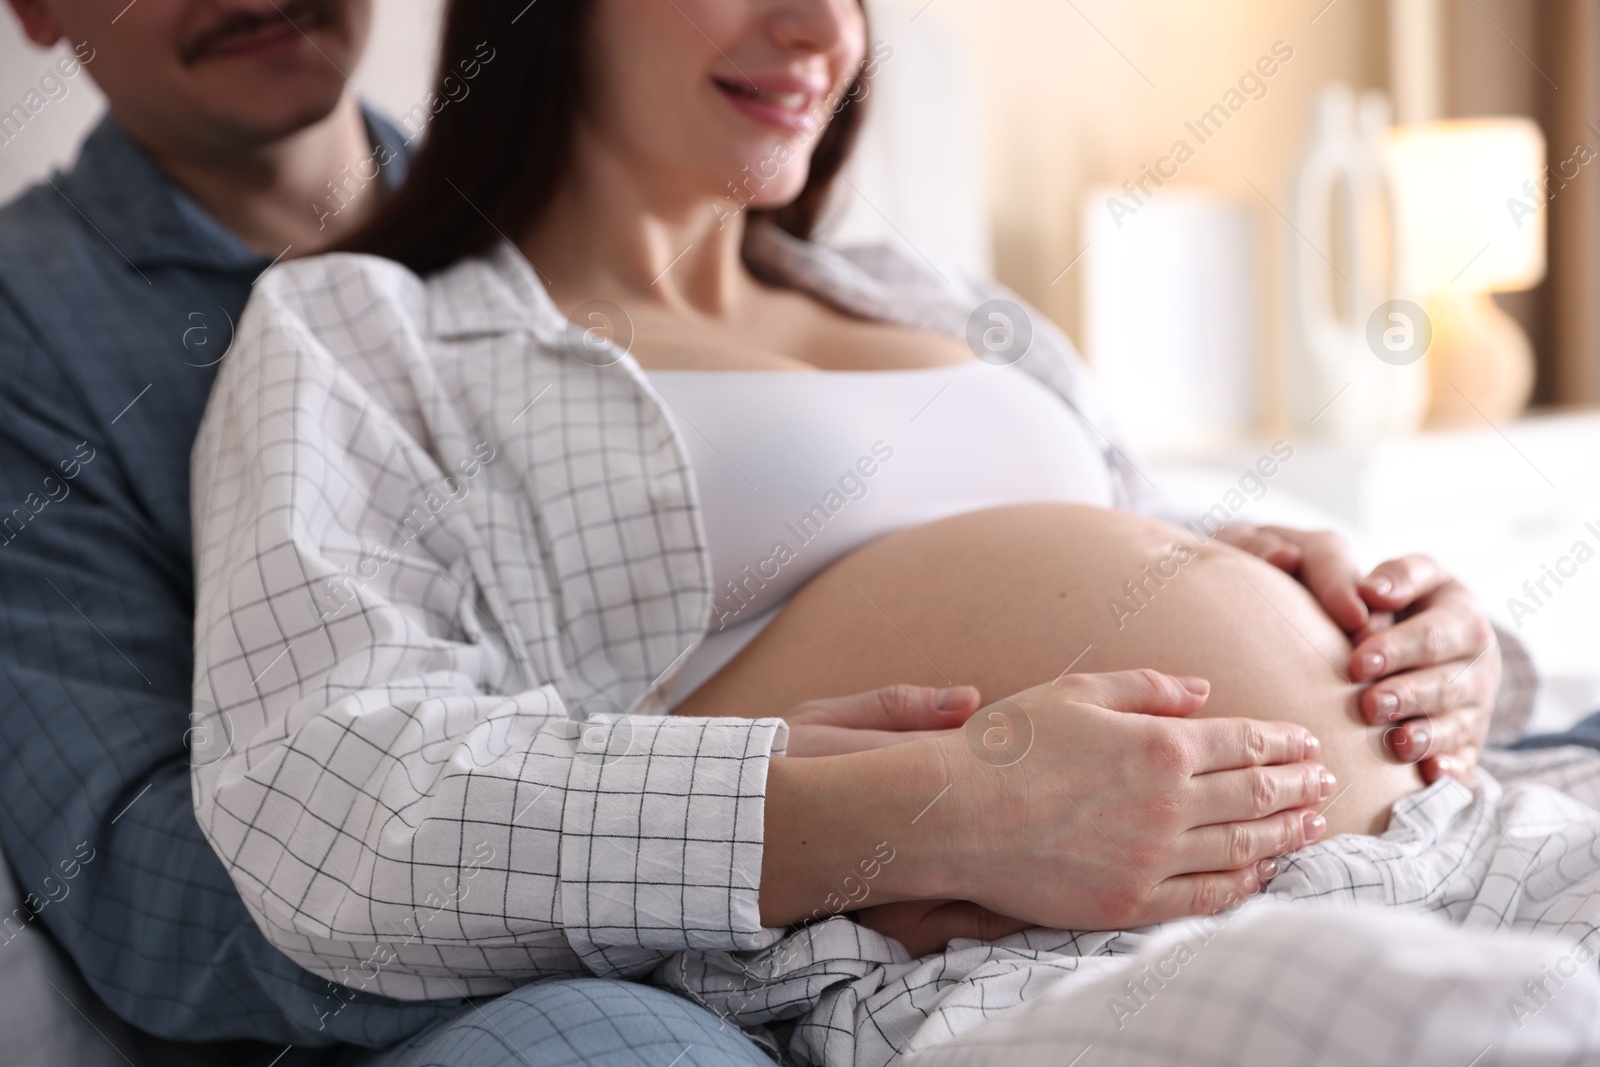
(566,1023)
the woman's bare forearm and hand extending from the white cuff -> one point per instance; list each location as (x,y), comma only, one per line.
(1122,812)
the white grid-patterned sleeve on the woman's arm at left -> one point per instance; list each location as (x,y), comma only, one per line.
(402,796)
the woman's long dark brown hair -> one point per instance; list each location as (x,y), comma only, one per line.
(497,154)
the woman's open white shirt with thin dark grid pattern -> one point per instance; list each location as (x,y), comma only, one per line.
(449,570)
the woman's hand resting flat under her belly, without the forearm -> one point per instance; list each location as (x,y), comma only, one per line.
(1102,807)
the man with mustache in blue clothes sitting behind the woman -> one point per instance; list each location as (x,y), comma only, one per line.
(234,140)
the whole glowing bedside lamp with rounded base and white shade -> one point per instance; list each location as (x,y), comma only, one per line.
(1470,222)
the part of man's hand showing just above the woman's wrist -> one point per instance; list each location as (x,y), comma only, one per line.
(895,714)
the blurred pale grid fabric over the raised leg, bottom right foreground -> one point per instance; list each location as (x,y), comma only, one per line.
(1294,988)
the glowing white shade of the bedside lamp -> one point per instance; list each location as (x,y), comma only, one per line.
(1466,204)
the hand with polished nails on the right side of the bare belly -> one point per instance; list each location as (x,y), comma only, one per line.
(1420,636)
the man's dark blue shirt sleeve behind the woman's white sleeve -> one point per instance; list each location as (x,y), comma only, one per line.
(97,817)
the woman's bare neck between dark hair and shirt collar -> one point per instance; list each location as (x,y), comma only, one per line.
(612,234)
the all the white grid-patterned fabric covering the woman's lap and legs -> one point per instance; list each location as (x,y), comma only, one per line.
(1465,906)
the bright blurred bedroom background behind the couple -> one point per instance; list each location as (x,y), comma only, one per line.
(1367,228)
